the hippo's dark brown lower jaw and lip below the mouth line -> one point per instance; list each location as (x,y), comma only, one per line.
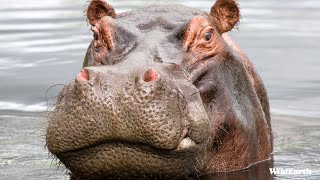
(102,159)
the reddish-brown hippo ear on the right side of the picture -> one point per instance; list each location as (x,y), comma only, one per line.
(226,13)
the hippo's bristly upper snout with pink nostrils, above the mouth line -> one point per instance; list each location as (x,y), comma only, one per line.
(145,106)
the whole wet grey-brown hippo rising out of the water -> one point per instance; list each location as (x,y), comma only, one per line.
(164,93)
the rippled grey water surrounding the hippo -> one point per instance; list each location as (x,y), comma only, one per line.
(42,43)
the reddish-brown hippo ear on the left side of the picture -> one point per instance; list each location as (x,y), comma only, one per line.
(97,9)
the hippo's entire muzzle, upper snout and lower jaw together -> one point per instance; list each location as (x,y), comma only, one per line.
(141,123)
